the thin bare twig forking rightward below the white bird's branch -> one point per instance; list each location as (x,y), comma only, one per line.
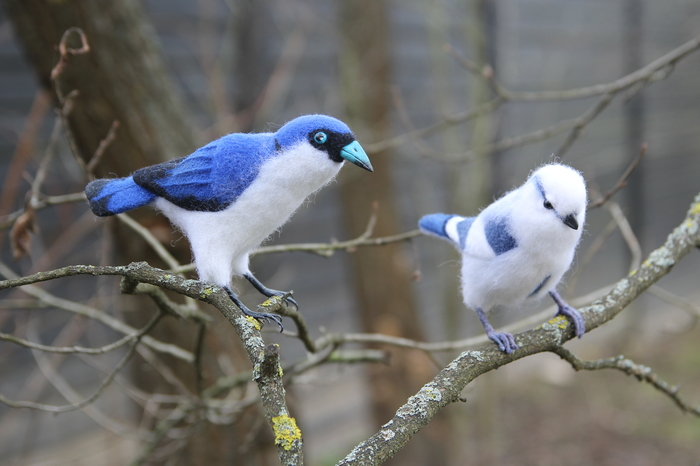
(629,367)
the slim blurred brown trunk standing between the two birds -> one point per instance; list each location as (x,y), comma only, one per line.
(381,276)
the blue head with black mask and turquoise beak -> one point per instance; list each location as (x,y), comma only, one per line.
(326,134)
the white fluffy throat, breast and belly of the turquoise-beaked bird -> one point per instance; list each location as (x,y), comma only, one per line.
(279,189)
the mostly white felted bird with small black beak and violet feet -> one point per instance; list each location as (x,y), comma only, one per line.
(519,247)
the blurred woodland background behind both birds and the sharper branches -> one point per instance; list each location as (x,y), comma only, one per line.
(178,74)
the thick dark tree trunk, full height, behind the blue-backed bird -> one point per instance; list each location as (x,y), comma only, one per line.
(123,77)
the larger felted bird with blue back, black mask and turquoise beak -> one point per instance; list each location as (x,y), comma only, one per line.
(231,194)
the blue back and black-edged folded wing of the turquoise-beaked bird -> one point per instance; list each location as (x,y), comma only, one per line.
(212,177)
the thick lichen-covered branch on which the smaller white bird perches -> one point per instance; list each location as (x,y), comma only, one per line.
(446,387)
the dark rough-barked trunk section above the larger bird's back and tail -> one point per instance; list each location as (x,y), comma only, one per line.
(122,78)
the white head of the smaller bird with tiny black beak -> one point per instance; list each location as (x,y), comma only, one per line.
(560,193)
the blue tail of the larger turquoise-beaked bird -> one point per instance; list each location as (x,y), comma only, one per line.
(110,197)
